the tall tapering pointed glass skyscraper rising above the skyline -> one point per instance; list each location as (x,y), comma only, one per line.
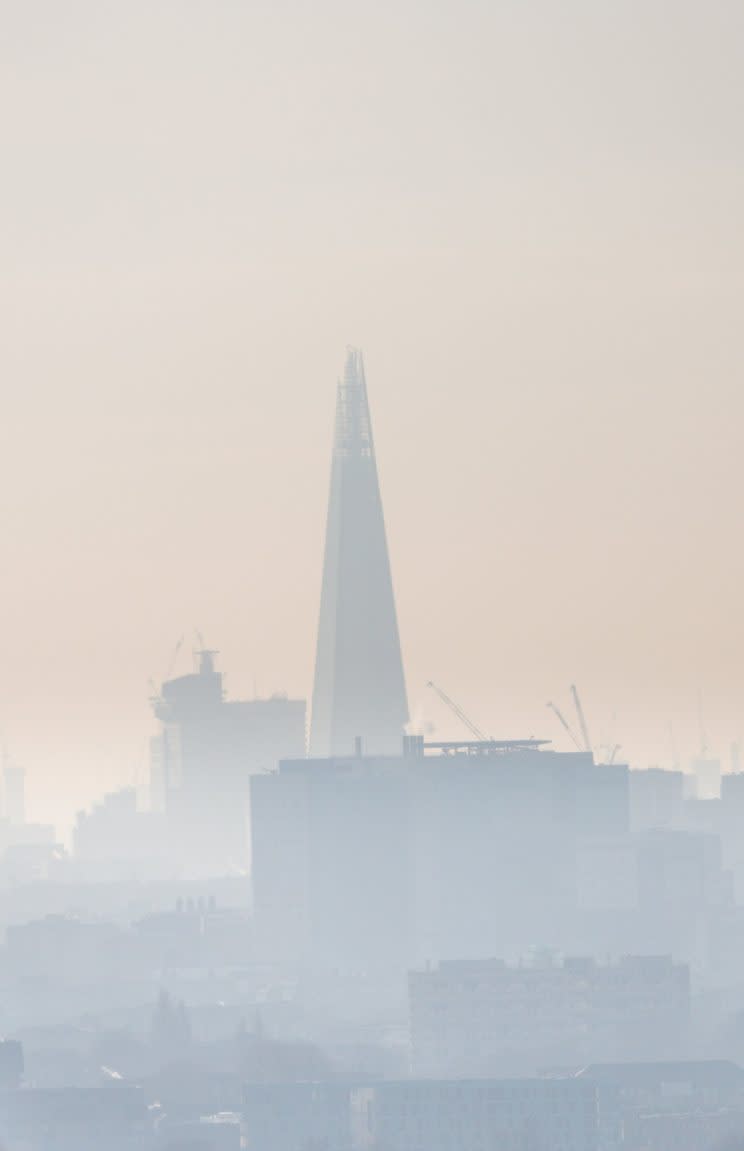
(360,690)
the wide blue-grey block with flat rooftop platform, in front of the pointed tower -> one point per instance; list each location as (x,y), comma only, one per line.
(386,862)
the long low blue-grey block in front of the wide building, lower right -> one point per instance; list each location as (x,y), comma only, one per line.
(485,1019)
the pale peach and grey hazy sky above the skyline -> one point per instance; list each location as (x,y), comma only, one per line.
(528,215)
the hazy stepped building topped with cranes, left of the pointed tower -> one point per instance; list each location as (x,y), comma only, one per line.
(204,757)
